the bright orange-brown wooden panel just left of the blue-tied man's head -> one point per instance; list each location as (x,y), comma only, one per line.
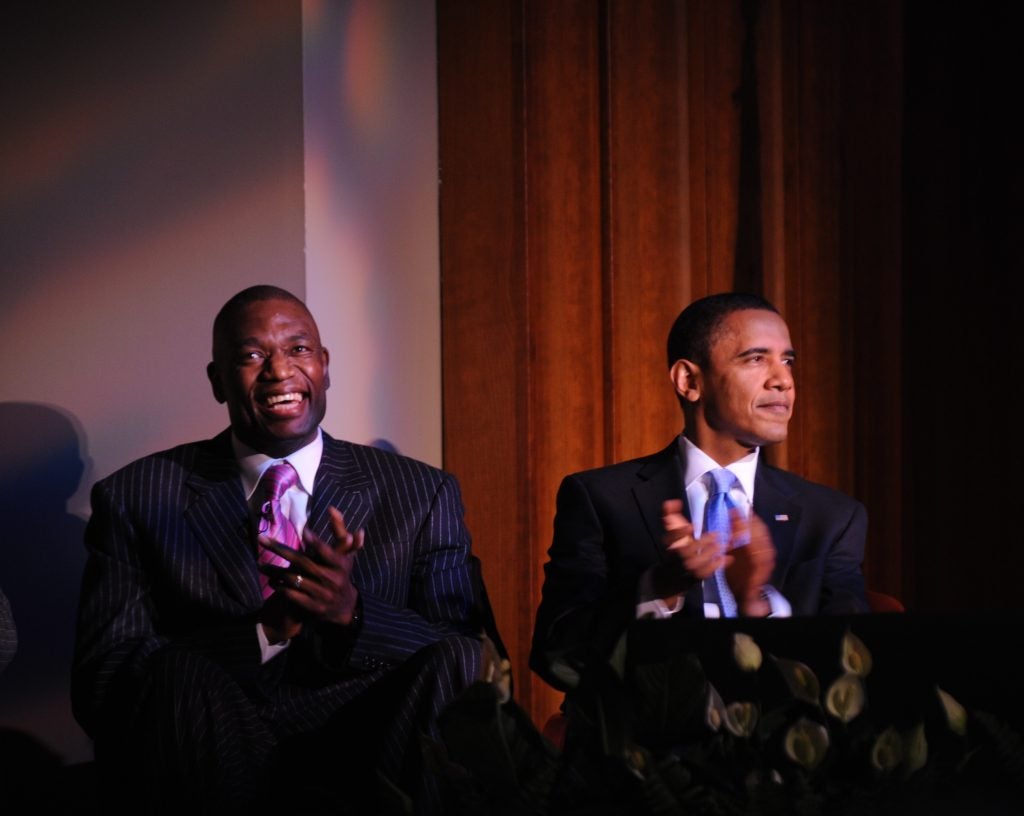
(648,220)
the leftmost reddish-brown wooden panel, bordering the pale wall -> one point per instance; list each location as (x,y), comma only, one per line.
(485,338)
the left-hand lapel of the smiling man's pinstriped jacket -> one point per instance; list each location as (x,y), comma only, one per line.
(219,518)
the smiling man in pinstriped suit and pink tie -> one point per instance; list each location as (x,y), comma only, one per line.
(204,691)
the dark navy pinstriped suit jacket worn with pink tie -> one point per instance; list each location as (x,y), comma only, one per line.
(172,559)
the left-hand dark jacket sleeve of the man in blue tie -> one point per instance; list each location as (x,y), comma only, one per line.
(587,602)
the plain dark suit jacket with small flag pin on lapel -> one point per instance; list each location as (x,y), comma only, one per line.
(609,532)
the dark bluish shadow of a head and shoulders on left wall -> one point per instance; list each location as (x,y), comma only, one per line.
(44,557)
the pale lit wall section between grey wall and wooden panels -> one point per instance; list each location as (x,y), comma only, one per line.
(372,221)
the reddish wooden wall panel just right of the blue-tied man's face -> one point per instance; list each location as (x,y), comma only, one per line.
(818,448)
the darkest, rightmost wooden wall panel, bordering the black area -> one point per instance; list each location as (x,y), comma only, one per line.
(872,256)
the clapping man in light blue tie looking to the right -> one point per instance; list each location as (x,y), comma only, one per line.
(630,539)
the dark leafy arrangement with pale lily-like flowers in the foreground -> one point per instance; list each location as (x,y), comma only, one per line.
(760,735)
